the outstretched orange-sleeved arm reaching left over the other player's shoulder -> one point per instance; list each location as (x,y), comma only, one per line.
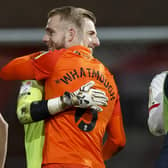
(37,66)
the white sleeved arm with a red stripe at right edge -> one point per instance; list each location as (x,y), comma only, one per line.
(156,105)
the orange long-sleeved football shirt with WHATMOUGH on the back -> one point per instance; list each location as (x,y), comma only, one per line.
(74,136)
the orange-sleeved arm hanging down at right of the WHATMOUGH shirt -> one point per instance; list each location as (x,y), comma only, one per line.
(116,139)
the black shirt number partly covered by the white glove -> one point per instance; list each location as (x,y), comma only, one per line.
(82,125)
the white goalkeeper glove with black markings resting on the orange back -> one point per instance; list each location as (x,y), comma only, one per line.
(85,97)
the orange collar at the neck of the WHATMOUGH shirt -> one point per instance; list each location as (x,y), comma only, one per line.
(81,50)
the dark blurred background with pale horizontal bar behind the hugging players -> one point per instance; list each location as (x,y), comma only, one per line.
(134,46)
